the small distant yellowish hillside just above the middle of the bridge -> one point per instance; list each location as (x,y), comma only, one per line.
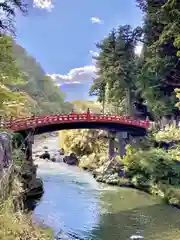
(83,105)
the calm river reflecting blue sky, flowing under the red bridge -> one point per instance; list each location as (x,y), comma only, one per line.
(84,209)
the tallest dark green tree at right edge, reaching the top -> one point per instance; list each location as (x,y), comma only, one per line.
(160,64)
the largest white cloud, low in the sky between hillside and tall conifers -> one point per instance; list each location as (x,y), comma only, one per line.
(77,75)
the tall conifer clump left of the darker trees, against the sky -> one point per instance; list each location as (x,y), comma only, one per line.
(117,64)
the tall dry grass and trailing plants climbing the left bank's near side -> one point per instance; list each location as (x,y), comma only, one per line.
(16,224)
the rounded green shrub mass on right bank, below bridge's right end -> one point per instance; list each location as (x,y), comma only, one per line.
(154,166)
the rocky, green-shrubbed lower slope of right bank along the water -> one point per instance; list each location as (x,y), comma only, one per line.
(152,176)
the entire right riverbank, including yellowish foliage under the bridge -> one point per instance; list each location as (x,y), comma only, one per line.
(149,169)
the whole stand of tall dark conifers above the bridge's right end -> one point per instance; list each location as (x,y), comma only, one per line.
(125,79)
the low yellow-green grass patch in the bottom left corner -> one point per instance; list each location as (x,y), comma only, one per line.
(18,225)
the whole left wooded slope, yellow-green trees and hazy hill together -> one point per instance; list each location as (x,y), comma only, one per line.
(25,88)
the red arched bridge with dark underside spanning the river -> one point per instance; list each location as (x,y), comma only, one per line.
(49,123)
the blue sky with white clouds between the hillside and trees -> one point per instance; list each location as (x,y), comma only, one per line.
(63,38)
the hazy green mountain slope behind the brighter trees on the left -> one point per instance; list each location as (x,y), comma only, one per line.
(44,96)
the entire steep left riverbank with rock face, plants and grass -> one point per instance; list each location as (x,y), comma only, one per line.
(18,183)
